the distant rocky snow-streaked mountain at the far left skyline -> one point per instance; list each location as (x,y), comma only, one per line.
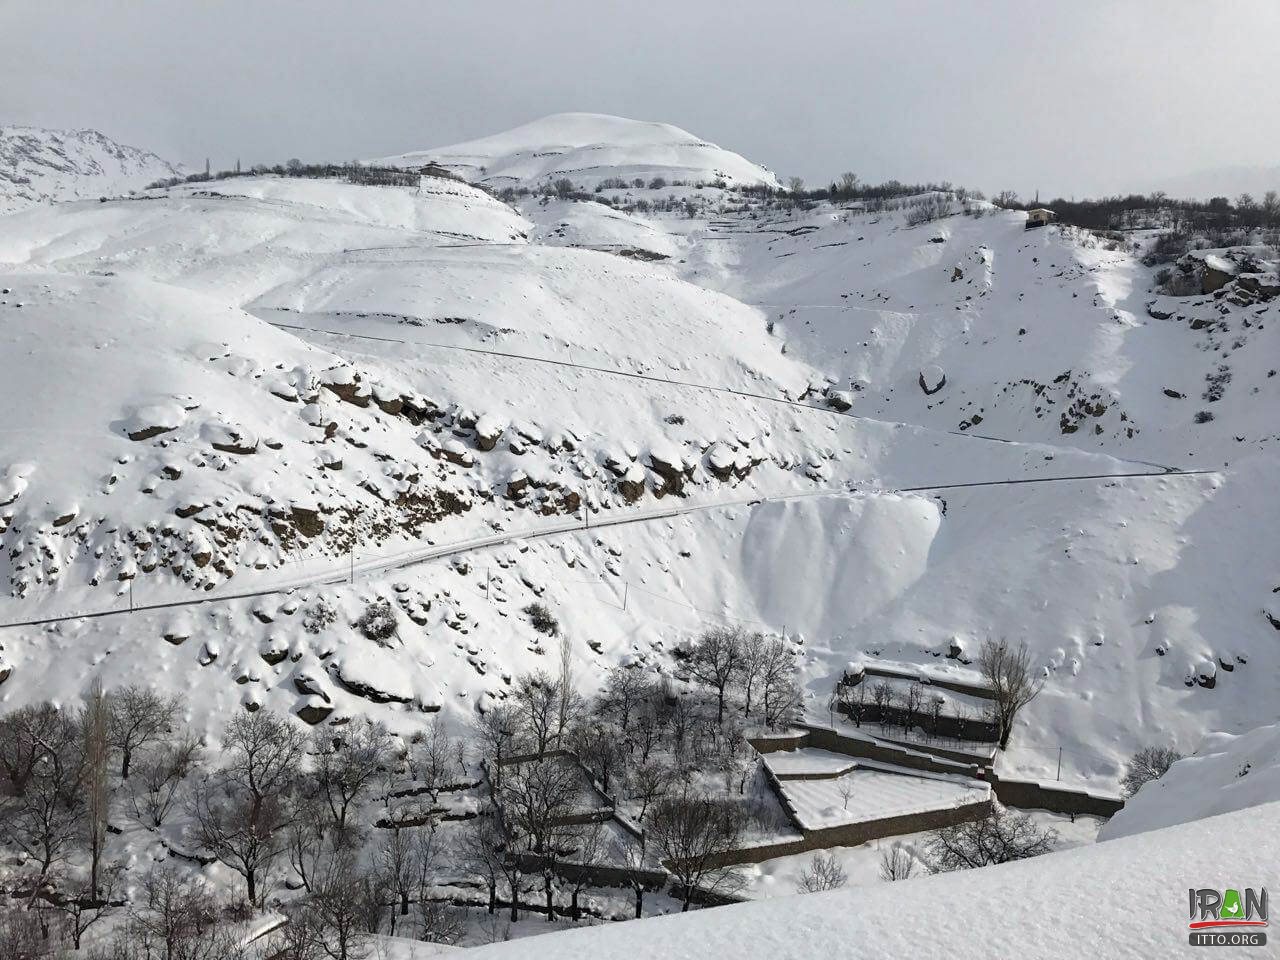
(39,166)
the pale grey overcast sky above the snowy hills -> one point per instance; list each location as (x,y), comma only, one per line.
(1080,97)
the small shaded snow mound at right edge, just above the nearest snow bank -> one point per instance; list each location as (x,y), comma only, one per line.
(1227,774)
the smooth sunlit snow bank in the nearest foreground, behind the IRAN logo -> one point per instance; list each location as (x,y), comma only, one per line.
(1124,899)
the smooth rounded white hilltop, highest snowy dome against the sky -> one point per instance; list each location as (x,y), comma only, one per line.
(588,149)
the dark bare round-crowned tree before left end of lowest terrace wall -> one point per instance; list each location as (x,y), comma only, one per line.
(693,835)
